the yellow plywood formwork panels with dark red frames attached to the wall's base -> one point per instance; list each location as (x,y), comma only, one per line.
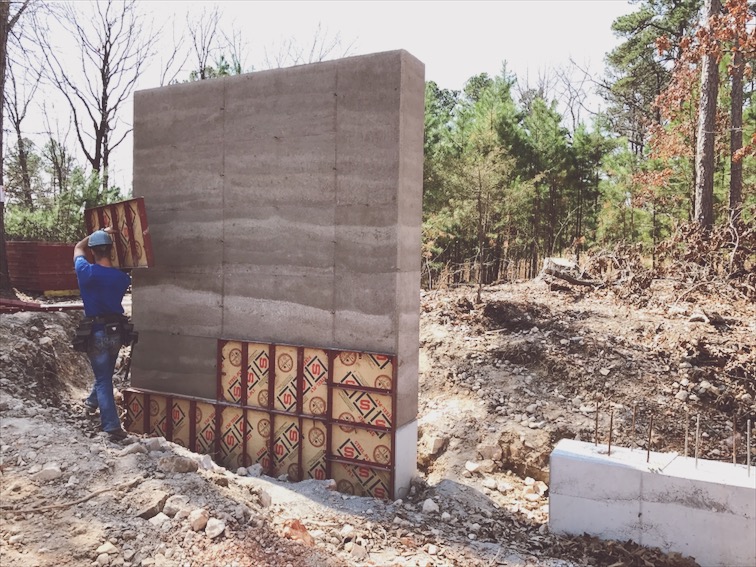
(300,412)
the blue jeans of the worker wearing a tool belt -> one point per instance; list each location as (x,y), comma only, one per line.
(103,352)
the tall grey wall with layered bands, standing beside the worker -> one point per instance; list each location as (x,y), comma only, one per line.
(285,209)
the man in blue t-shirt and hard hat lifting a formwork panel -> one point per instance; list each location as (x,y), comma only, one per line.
(102,289)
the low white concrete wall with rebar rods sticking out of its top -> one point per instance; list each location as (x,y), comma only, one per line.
(707,512)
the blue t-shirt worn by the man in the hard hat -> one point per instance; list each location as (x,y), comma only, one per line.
(102,288)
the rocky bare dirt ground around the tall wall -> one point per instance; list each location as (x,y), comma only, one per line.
(501,381)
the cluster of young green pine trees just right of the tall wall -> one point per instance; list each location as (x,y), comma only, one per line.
(504,183)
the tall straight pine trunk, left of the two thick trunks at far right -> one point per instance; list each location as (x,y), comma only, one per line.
(707,109)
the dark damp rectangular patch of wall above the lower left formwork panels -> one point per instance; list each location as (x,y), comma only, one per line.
(176,364)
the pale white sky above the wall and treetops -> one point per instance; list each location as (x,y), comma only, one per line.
(454,39)
